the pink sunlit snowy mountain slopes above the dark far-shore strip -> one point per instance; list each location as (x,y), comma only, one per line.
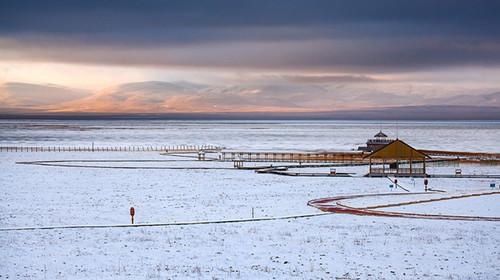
(184,97)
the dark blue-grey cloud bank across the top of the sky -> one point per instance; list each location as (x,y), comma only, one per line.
(352,35)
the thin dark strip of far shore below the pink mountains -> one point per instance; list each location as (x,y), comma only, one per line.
(407,113)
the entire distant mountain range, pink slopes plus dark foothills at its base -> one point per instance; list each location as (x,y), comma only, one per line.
(184,100)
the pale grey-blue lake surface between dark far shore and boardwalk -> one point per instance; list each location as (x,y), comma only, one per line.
(469,136)
